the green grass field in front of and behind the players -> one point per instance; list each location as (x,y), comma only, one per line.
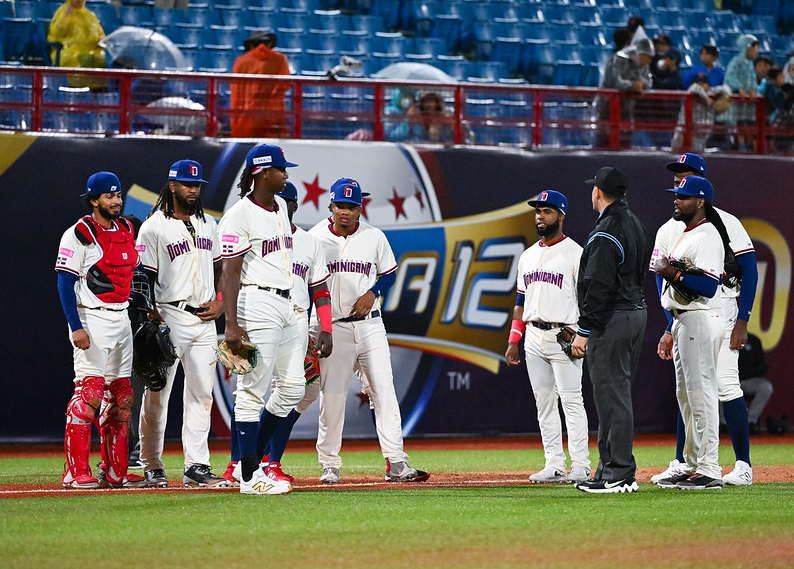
(495,527)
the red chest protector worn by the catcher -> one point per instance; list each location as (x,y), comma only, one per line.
(109,279)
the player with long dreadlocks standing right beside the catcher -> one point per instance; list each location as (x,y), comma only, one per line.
(180,251)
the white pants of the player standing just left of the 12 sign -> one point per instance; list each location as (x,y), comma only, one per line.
(363,342)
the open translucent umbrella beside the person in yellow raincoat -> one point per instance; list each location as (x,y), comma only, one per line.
(139,48)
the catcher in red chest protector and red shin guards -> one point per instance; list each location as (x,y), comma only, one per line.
(96,260)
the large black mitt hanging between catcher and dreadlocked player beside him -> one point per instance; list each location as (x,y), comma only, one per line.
(152,354)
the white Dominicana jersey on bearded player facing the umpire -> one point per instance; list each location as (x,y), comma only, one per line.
(548,278)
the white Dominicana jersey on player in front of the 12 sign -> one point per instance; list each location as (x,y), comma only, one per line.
(362,257)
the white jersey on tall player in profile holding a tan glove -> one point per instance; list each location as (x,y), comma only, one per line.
(264,237)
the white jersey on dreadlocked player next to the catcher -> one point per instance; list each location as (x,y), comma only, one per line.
(184,264)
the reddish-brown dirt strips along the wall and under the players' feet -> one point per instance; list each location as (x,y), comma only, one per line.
(761,473)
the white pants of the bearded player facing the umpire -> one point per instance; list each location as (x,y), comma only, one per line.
(553,376)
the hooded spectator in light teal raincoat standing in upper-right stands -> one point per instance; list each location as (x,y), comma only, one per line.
(740,77)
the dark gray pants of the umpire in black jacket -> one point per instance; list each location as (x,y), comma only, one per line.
(612,358)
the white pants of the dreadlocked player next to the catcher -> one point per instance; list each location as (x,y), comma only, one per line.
(194,342)
